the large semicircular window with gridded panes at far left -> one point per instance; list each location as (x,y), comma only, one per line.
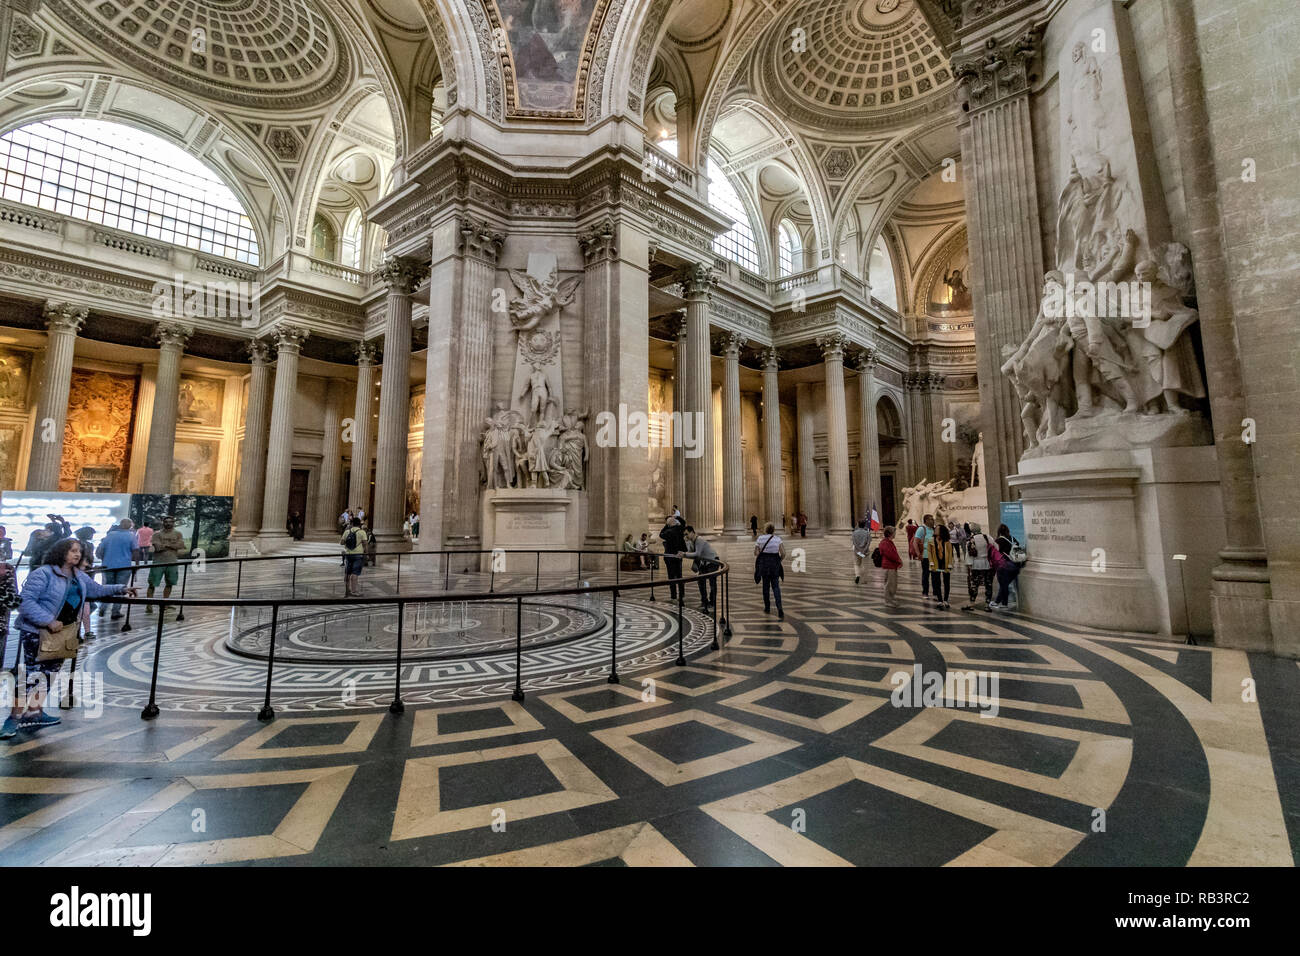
(124,179)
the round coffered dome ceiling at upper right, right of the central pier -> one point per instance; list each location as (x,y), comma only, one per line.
(855,64)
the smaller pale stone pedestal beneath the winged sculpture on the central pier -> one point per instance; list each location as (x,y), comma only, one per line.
(544,520)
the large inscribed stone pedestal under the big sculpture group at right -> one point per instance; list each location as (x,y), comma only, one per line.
(1103,531)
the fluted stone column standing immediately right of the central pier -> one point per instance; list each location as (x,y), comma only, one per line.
(697,284)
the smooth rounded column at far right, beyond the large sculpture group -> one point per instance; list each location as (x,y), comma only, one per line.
(1241,590)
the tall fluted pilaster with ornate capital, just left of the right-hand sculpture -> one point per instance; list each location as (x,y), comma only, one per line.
(1006,235)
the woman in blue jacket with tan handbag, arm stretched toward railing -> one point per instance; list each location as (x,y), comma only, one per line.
(49,624)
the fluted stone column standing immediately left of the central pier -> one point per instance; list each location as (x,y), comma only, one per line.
(401,278)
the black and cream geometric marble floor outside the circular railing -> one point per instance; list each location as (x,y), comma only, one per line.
(783,749)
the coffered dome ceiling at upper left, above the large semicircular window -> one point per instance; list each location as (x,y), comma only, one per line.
(262,54)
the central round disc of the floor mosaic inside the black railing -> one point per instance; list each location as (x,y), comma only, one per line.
(430,631)
